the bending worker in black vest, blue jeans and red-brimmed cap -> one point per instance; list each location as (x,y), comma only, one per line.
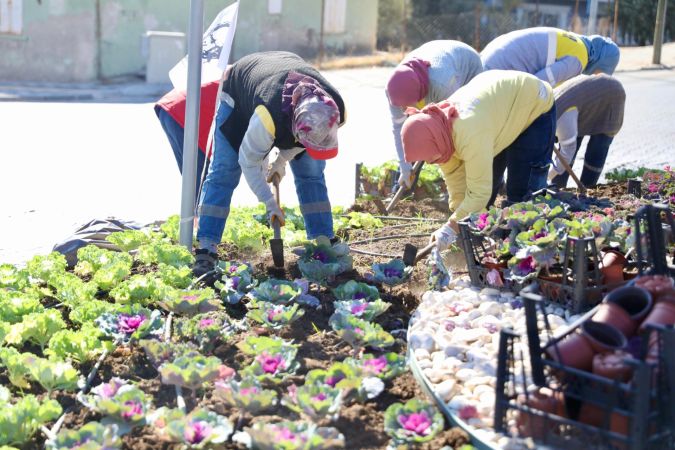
(270,99)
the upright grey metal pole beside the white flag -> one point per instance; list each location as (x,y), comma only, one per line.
(187,206)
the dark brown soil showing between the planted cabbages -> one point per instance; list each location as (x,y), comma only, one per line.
(361,423)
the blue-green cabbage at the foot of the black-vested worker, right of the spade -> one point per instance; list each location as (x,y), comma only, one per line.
(322,261)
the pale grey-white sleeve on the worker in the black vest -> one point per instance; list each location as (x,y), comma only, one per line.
(255,146)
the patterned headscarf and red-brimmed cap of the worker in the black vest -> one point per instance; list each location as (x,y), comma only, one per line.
(314,115)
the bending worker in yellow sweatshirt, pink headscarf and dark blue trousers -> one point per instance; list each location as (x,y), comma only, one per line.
(500,120)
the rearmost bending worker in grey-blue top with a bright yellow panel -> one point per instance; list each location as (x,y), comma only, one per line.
(551,54)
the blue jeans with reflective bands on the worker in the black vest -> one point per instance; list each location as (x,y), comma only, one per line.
(224,175)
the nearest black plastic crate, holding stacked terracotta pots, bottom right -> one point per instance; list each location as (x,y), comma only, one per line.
(643,405)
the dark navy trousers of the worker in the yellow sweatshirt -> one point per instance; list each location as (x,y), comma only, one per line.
(527,160)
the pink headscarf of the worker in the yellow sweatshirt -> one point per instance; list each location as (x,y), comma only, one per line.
(427,134)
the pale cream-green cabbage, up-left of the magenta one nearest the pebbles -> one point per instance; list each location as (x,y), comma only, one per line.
(314,402)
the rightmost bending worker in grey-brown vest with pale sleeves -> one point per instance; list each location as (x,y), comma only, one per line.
(587,106)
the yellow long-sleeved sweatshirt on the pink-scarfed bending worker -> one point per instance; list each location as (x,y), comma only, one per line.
(495,107)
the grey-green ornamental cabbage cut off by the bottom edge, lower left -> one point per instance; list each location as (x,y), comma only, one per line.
(90,436)
